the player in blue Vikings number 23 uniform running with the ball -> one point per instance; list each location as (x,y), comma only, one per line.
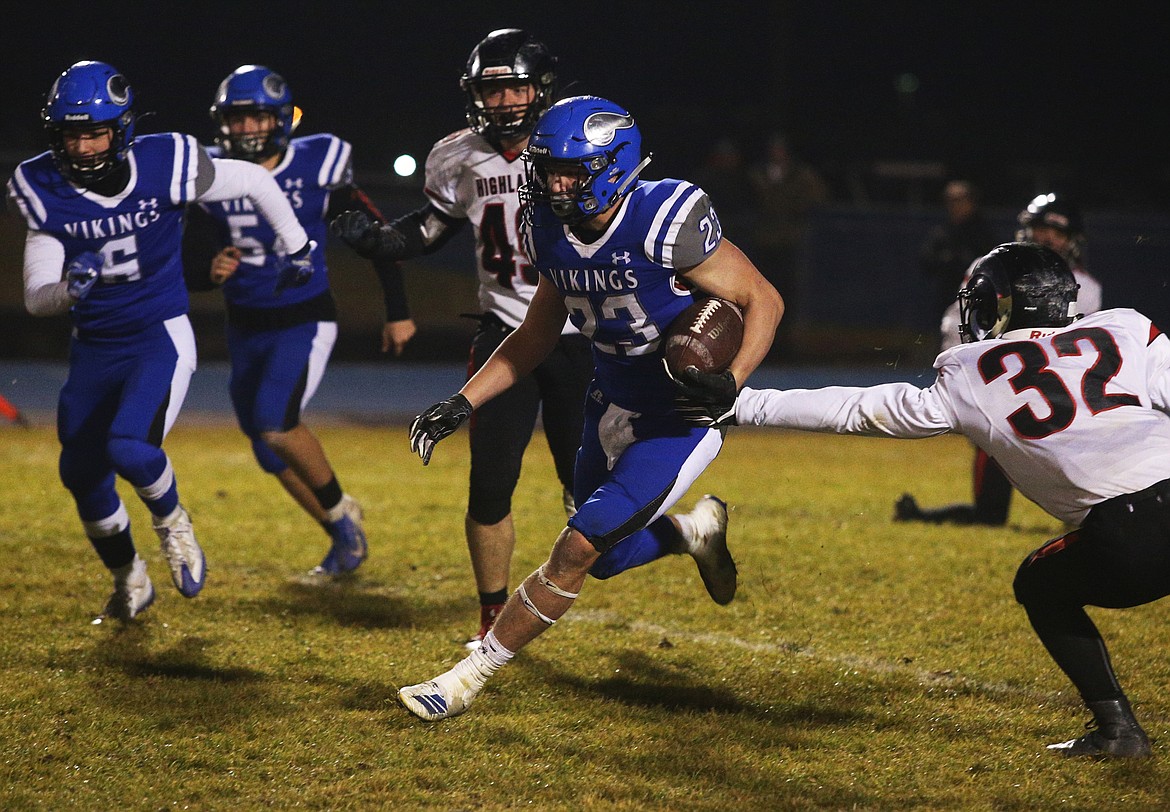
(621,258)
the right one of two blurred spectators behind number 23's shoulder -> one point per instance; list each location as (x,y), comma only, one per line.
(786,190)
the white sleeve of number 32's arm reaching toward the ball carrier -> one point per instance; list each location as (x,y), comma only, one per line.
(889,410)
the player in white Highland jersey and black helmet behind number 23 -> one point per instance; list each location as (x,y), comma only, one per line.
(472,176)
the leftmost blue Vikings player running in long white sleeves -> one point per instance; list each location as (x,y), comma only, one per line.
(105,210)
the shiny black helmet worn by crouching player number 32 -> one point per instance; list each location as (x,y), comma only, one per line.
(1018,285)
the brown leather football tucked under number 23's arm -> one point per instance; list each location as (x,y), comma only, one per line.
(707,336)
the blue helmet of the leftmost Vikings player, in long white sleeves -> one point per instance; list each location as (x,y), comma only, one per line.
(90,97)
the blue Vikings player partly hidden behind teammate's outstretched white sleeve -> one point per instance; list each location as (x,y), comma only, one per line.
(280,345)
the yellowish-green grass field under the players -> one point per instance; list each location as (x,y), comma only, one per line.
(864,664)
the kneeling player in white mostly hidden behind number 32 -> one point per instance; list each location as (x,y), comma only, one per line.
(1056,223)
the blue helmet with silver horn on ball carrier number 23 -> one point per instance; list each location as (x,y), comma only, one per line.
(589,136)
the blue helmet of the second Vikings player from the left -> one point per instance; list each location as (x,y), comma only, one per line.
(254,88)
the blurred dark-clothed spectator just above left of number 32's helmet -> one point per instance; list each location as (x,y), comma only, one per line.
(952,246)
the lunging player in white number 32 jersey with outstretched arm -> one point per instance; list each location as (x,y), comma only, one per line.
(1077,411)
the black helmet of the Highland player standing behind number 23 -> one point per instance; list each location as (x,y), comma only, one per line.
(508,54)
